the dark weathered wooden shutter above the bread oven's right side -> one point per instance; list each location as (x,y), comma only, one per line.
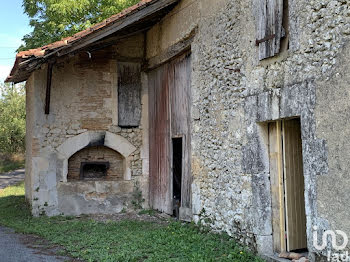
(129,94)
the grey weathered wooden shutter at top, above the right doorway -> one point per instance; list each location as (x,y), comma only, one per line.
(269,27)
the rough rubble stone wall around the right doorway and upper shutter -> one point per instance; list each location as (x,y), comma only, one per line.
(233,92)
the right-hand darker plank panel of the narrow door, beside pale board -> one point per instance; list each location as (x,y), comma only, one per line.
(294,185)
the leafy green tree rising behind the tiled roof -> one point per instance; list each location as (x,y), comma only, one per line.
(52,20)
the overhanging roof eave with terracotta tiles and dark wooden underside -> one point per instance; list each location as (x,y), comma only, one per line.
(21,71)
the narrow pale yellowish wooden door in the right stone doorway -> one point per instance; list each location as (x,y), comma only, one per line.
(287,185)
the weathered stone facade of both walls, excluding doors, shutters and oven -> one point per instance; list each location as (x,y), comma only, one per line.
(233,95)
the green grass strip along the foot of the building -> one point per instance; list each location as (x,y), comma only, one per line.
(120,241)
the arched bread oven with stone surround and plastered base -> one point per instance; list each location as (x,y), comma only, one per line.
(96,174)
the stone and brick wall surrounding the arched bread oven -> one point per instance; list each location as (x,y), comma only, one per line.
(84,105)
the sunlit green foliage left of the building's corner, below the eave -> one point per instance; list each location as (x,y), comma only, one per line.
(12,118)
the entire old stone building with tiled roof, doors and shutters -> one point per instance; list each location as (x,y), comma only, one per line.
(238,109)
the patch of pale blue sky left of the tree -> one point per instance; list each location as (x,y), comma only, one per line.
(13,26)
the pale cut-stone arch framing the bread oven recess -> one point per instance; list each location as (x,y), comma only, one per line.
(91,138)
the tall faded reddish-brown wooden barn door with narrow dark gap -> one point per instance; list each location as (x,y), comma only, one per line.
(169,116)
